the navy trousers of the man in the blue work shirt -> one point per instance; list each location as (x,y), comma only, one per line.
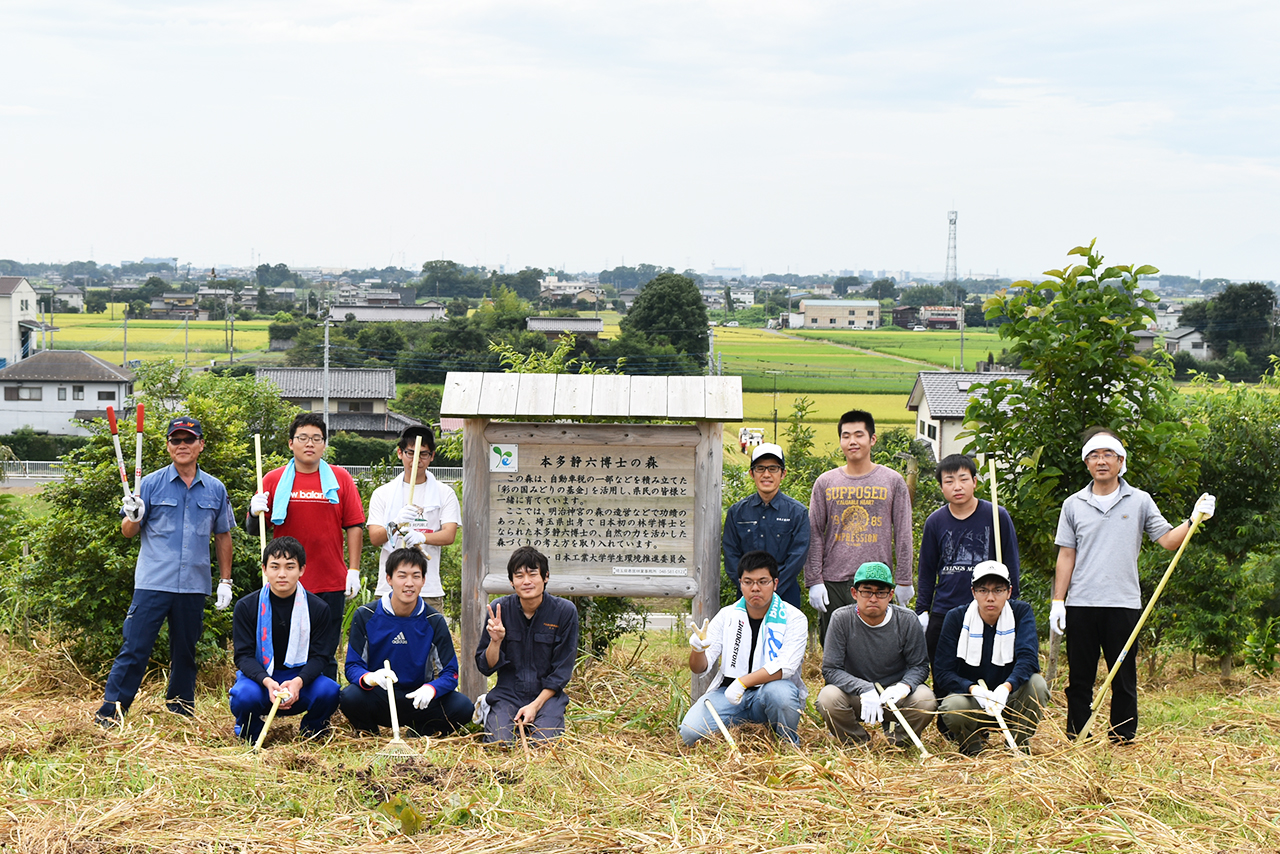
(148,613)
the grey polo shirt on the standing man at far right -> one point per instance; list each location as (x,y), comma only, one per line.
(1107,546)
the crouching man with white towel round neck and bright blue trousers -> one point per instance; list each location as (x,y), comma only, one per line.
(278,636)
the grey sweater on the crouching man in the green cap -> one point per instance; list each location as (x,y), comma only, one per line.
(857,656)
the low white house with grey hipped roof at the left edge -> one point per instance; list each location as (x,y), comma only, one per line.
(58,391)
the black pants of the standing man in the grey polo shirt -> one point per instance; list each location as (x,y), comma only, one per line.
(1087,632)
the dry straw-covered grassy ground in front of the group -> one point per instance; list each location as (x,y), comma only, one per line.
(1201,779)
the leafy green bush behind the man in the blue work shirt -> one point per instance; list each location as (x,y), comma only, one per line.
(83,593)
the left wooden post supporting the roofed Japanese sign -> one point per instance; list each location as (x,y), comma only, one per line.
(476,545)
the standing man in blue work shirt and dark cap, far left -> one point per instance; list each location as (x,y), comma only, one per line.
(177,510)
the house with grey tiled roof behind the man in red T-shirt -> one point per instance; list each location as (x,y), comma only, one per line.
(358,398)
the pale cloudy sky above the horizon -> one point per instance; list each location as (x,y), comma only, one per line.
(559,134)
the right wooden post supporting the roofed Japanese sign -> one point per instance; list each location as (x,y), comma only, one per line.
(708,483)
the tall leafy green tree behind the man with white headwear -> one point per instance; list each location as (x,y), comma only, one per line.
(1076,334)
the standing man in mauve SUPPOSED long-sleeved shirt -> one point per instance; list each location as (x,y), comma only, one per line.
(858,514)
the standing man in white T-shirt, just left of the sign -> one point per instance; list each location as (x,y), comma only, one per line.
(429,522)
